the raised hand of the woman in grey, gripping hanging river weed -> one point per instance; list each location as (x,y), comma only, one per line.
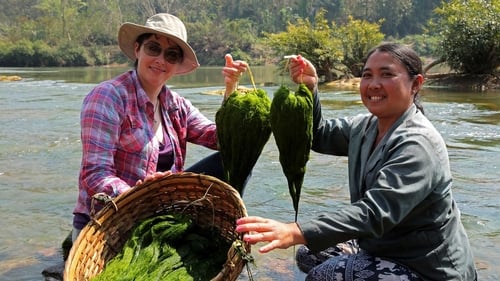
(303,71)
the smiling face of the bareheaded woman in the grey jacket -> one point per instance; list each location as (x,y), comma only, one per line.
(386,87)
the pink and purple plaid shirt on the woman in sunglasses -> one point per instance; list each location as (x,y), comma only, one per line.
(117,136)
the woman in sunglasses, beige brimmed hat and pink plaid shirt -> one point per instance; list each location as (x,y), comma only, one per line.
(133,127)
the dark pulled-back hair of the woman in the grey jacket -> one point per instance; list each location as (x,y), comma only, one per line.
(407,57)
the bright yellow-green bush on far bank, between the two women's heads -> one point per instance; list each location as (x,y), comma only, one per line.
(331,48)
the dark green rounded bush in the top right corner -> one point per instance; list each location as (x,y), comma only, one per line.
(470,32)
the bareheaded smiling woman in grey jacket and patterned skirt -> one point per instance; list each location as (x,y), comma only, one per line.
(403,223)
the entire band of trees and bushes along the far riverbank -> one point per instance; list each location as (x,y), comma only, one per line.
(334,34)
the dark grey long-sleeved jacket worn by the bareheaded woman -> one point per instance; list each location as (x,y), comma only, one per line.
(402,207)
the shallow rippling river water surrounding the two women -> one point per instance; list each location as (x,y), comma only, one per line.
(40,156)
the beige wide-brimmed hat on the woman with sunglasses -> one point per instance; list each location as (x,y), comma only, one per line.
(162,24)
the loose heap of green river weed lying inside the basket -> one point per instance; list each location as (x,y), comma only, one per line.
(168,247)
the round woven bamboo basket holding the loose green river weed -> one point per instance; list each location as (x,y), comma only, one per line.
(208,201)
